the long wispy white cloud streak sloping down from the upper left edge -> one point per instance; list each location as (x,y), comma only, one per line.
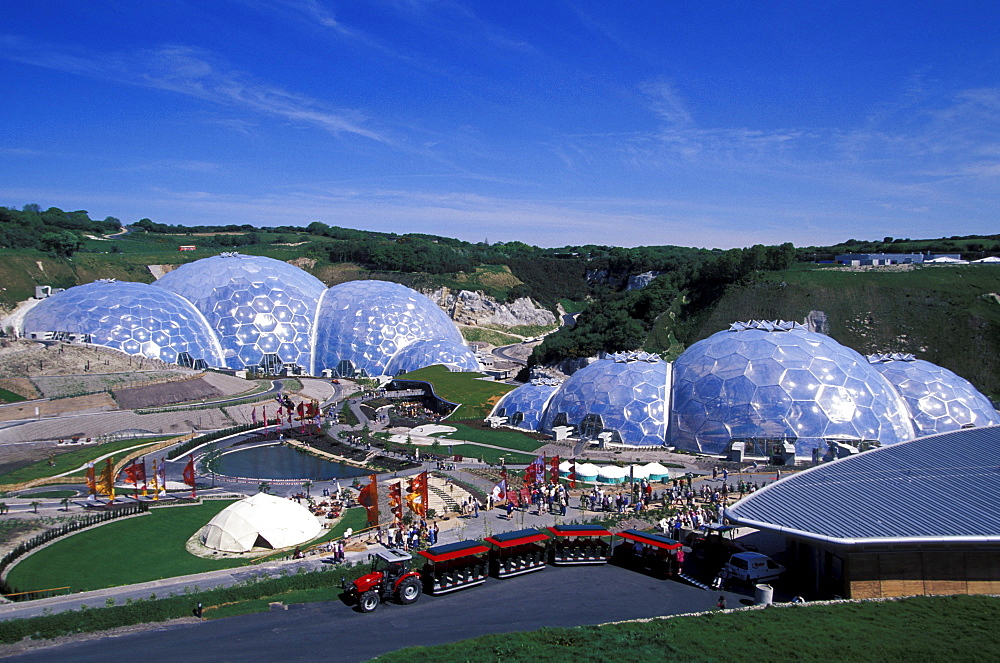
(194,73)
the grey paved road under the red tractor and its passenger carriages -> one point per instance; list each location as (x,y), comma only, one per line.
(563,597)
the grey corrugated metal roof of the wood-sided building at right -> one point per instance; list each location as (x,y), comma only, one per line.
(936,488)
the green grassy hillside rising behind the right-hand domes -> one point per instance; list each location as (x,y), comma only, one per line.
(946,315)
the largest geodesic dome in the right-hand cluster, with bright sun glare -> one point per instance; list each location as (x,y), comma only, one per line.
(775,381)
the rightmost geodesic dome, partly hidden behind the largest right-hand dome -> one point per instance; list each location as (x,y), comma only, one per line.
(939,401)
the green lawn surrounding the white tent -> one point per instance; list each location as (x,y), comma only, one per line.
(141,549)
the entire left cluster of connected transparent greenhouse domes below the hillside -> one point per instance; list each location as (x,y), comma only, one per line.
(250,312)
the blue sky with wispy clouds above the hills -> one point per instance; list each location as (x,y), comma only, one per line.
(691,122)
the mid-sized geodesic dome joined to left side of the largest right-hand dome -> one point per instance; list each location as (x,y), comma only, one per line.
(624,395)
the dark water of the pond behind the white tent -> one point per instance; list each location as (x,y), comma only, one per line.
(281,462)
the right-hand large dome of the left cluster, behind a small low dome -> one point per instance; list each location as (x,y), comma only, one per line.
(366,323)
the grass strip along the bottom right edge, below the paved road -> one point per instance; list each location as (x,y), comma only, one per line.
(960,628)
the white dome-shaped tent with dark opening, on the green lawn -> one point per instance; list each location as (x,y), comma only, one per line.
(263,521)
